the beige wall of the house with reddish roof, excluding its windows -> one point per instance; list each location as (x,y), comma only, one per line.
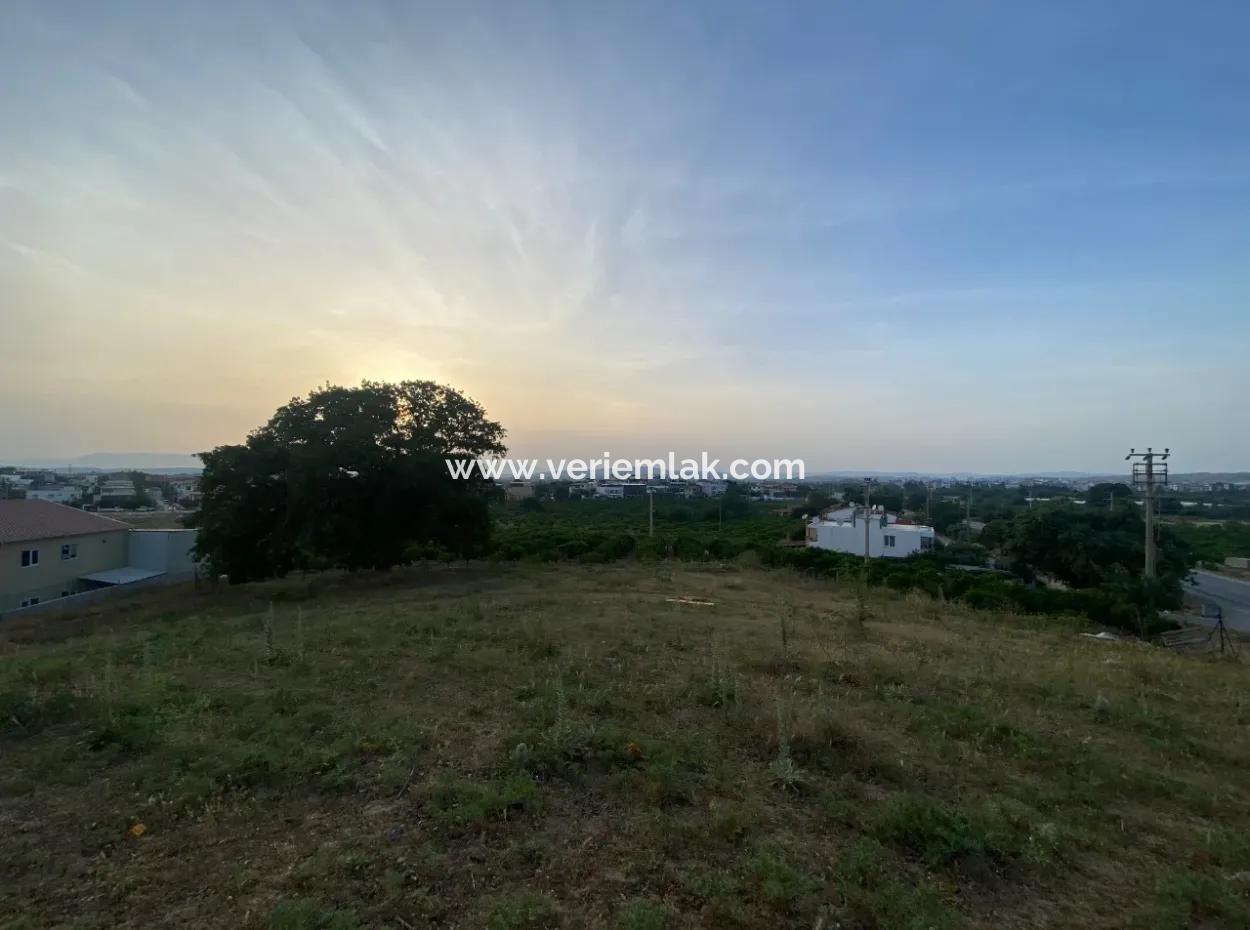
(97,552)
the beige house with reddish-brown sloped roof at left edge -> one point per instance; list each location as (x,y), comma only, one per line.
(46,551)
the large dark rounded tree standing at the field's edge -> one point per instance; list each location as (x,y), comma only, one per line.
(352,478)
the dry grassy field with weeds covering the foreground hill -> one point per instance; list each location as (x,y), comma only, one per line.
(567,747)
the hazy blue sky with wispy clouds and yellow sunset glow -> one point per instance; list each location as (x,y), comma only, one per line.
(982,237)
